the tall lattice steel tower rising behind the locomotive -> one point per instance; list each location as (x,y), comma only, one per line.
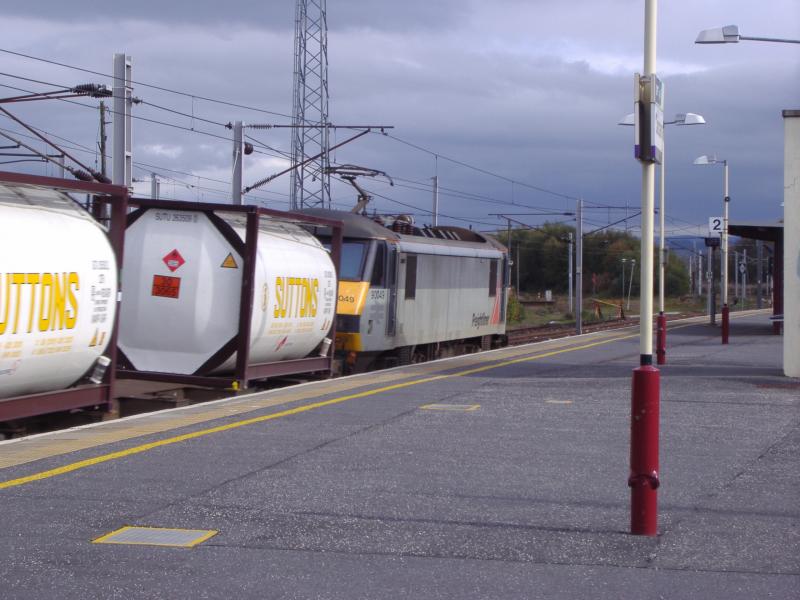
(311,182)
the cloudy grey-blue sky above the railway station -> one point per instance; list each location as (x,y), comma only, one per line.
(512,104)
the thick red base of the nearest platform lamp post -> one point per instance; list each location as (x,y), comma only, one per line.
(643,479)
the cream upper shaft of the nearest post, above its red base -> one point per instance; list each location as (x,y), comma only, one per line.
(648,204)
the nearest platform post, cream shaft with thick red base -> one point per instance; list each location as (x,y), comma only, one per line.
(645,389)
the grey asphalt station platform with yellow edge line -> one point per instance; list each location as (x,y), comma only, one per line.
(496,475)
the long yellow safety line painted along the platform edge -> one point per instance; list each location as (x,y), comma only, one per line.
(285,413)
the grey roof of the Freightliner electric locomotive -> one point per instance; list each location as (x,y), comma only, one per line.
(358,226)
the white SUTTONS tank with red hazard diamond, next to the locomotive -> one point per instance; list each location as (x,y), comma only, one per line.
(182,283)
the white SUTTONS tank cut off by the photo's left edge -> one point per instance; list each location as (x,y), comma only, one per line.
(58,284)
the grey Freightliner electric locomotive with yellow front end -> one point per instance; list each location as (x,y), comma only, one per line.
(416,294)
